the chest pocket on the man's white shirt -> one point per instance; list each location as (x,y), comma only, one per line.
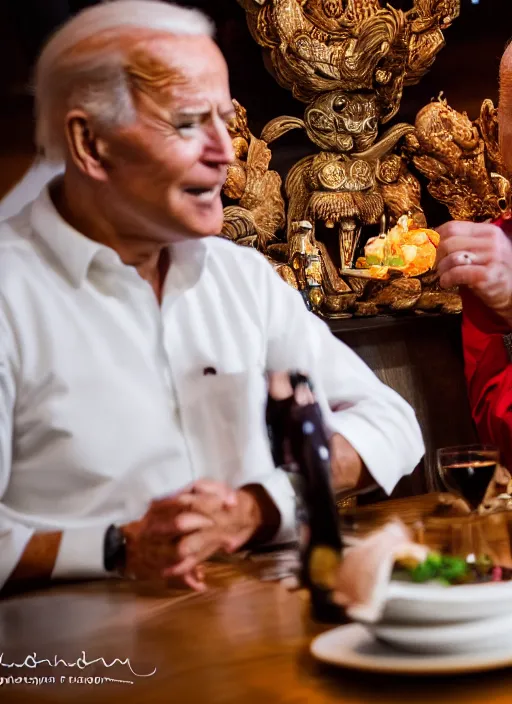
(223,419)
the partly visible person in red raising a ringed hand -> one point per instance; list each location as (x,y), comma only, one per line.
(478,257)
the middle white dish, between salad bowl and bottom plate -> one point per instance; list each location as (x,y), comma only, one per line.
(454,638)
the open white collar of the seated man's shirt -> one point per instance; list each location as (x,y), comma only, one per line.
(75,252)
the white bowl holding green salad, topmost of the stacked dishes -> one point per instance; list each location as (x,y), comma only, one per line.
(431,603)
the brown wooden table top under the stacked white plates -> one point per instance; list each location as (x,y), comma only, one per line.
(242,642)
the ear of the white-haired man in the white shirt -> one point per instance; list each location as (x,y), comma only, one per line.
(88,151)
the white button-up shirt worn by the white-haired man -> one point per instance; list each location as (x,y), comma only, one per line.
(104,403)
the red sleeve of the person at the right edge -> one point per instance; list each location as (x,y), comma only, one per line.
(488,374)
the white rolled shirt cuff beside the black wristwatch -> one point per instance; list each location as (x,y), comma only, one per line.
(80,554)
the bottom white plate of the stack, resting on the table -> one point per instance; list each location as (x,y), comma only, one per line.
(354,647)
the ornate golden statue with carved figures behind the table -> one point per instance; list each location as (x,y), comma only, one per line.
(349,61)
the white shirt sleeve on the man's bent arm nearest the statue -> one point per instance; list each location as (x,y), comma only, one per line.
(378,423)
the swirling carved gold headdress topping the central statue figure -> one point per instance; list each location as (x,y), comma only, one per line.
(350,46)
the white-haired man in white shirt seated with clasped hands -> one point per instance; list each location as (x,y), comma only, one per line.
(134,348)
